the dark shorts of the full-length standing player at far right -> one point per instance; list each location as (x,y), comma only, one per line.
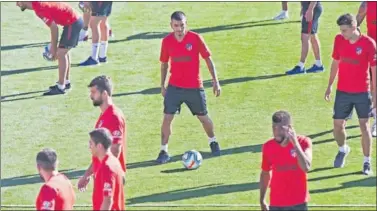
(345,102)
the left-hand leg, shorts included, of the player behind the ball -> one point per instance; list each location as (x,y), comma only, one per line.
(172,105)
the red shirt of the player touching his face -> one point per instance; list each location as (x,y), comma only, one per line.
(289,182)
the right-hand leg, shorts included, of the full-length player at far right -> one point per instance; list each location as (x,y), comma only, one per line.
(363,104)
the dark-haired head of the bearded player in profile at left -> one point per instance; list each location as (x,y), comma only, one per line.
(101,89)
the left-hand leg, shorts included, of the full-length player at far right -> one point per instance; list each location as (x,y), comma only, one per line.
(342,111)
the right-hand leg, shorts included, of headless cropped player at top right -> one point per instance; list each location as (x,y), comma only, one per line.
(318,66)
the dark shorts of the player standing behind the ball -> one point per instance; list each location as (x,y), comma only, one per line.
(195,99)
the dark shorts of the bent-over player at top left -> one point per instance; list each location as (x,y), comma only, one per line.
(70,36)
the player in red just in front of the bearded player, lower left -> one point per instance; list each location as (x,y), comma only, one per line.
(108,192)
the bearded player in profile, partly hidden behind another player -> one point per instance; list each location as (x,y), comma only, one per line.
(111,118)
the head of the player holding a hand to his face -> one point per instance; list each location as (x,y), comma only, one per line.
(280,120)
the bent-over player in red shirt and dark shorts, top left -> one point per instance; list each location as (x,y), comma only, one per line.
(54,14)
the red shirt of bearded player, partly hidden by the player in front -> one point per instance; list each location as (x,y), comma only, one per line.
(113,120)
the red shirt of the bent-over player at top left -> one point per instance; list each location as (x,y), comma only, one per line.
(59,12)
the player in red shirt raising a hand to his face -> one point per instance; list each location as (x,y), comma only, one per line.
(286,159)
